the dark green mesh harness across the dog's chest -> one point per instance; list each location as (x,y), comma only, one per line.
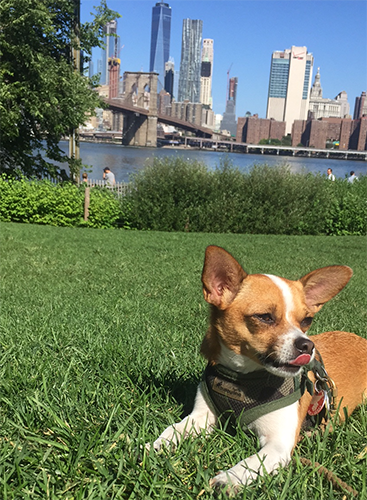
(244,398)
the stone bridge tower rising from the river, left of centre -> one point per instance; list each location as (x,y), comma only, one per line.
(140,90)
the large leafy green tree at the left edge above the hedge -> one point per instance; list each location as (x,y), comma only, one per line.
(42,97)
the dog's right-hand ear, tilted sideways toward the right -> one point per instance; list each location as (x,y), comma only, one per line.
(323,284)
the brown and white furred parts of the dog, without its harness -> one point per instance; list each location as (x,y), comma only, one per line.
(260,322)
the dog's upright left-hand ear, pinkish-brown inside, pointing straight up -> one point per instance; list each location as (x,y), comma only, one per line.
(222,277)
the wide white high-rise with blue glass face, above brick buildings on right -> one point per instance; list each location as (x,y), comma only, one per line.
(289,85)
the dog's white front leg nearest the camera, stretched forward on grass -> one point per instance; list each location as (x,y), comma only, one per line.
(277,433)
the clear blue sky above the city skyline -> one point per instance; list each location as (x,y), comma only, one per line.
(245,34)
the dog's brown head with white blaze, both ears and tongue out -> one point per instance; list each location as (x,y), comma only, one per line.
(264,318)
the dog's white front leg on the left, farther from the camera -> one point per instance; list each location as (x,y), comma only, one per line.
(201,418)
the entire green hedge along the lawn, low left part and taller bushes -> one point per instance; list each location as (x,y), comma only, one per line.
(178,195)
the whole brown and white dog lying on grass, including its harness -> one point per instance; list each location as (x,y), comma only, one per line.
(257,348)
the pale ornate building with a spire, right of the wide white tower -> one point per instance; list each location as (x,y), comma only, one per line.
(321,107)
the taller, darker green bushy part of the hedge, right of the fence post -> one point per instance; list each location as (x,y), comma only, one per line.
(176,195)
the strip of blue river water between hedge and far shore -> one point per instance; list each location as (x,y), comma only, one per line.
(123,160)
